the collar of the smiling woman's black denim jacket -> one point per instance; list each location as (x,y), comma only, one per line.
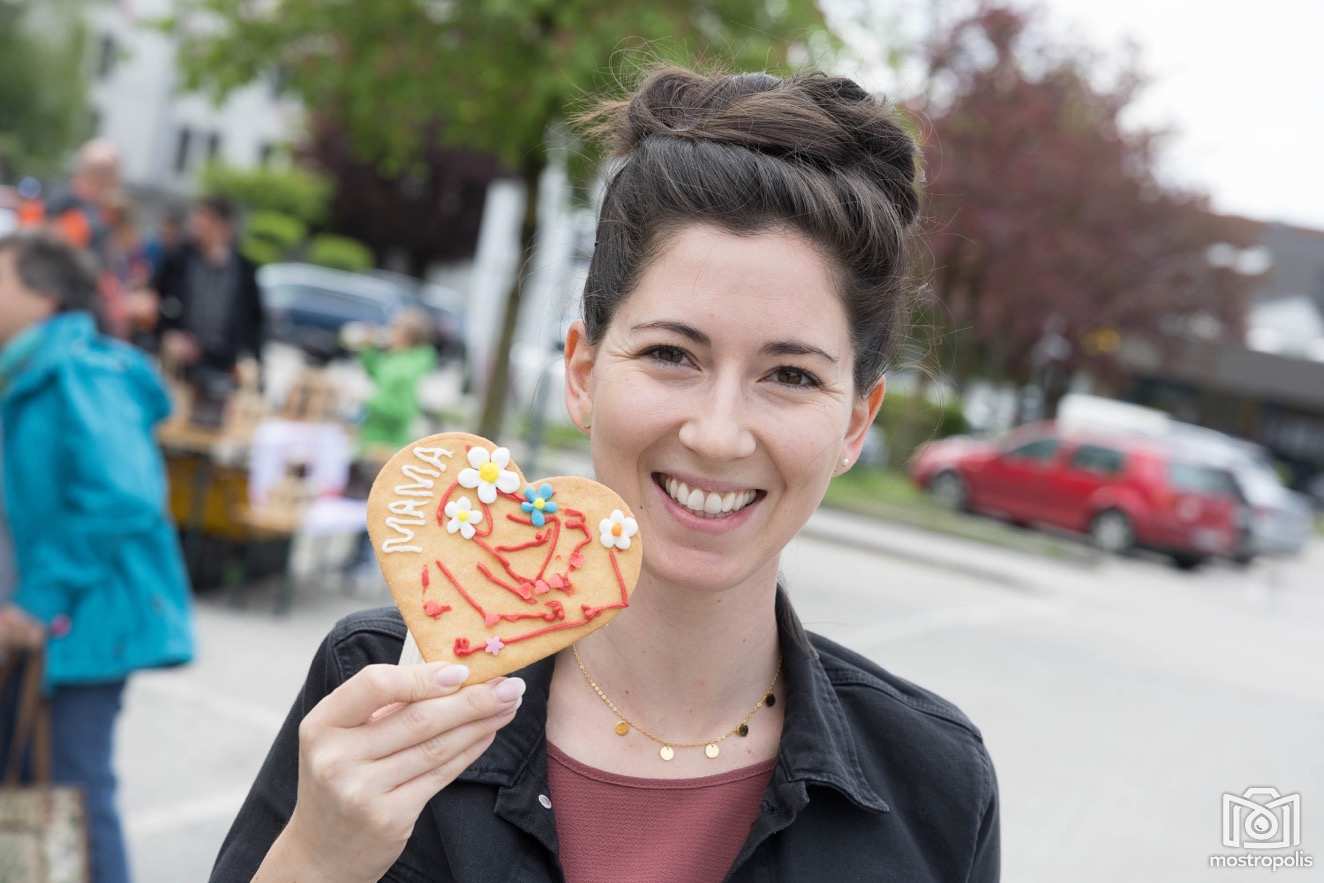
(818,746)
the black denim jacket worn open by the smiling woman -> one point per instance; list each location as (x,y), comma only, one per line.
(876,780)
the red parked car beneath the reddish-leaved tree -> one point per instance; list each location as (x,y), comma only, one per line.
(1123,492)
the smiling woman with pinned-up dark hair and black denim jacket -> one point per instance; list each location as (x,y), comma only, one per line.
(746,295)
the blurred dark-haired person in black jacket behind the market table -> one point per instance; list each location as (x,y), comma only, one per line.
(211,308)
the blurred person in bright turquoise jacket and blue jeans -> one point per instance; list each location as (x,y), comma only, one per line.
(91,569)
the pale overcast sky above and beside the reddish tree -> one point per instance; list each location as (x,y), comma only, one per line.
(1243,84)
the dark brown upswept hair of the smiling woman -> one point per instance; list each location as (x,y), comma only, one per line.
(751,153)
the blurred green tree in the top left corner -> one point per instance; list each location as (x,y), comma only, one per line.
(43,91)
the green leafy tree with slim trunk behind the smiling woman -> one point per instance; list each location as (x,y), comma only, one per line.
(500,73)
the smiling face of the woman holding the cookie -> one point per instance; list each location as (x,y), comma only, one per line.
(721,402)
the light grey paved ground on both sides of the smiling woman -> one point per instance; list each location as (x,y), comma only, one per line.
(1119,702)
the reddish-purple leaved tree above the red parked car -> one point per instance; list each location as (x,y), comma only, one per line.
(1045,211)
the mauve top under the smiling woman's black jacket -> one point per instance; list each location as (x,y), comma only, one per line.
(616,828)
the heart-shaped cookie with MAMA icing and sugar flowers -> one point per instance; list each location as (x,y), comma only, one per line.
(491,570)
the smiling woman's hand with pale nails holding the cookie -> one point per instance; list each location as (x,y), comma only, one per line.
(371,755)
